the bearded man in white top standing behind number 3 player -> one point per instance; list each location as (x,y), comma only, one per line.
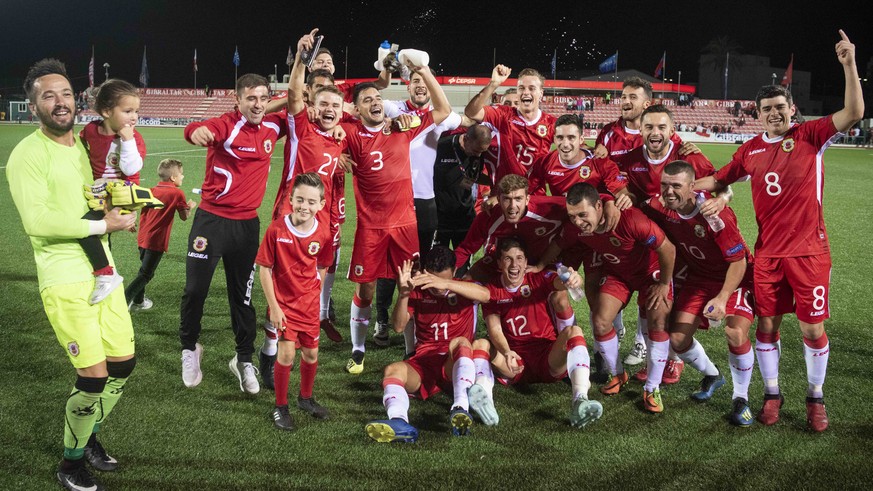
(422,155)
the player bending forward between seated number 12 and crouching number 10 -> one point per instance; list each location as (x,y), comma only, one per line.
(636,257)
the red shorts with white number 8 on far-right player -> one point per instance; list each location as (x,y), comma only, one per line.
(794,284)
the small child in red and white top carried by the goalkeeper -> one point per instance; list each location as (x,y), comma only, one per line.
(115,150)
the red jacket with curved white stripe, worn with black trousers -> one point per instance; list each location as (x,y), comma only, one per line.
(237,163)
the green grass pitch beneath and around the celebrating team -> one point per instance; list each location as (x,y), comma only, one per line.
(214,437)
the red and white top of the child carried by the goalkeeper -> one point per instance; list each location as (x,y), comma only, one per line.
(107,151)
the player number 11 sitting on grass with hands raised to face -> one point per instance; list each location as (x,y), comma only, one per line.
(446,356)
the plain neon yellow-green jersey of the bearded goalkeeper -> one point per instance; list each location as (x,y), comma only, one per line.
(46,179)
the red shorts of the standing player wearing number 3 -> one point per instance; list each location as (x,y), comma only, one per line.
(378,253)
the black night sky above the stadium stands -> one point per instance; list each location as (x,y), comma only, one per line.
(459,35)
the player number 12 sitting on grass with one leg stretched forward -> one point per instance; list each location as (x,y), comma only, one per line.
(526,345)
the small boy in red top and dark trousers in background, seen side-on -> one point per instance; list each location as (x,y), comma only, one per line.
(155,225)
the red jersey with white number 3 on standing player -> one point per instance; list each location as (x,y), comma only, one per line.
(383,177)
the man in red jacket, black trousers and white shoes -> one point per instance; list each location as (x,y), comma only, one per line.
(226,227)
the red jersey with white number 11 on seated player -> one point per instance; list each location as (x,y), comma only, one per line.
(438,320)
